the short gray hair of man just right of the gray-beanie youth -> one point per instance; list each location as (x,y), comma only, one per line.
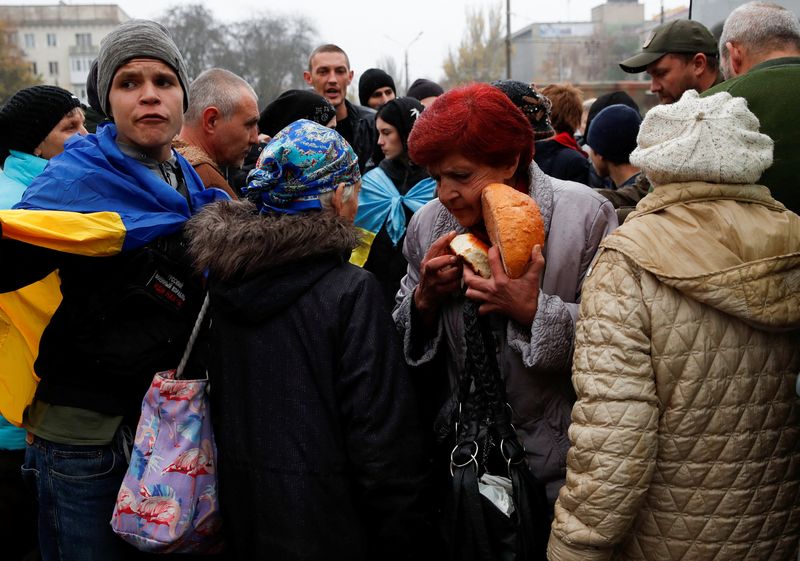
(219,88)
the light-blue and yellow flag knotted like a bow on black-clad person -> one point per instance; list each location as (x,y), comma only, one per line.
(380,202)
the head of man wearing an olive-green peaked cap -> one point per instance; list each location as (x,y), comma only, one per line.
(680,55)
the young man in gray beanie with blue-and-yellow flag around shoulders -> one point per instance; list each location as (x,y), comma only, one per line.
(121,198)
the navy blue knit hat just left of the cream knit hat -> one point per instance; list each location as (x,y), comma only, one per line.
(613,132)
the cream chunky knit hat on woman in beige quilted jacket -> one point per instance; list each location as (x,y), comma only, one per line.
(713,139)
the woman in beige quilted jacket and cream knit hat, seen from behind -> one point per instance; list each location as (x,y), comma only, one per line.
(685,434)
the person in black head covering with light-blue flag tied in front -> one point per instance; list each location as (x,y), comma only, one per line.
(390,195)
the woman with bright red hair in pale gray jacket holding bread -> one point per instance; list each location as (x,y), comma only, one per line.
(471,137)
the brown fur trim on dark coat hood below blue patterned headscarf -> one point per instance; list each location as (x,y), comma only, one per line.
(233,241)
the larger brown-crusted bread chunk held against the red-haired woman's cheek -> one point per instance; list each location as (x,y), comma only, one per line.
(513,223)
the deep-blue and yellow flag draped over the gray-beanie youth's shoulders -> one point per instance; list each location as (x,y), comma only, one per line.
(91,200)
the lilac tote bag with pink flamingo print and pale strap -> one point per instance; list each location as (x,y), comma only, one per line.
(168,499)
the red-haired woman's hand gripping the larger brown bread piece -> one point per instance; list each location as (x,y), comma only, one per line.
(517,299)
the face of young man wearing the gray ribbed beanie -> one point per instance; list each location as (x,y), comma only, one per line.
(146,101)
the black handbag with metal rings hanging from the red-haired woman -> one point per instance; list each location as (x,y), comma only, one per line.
(486,442)
